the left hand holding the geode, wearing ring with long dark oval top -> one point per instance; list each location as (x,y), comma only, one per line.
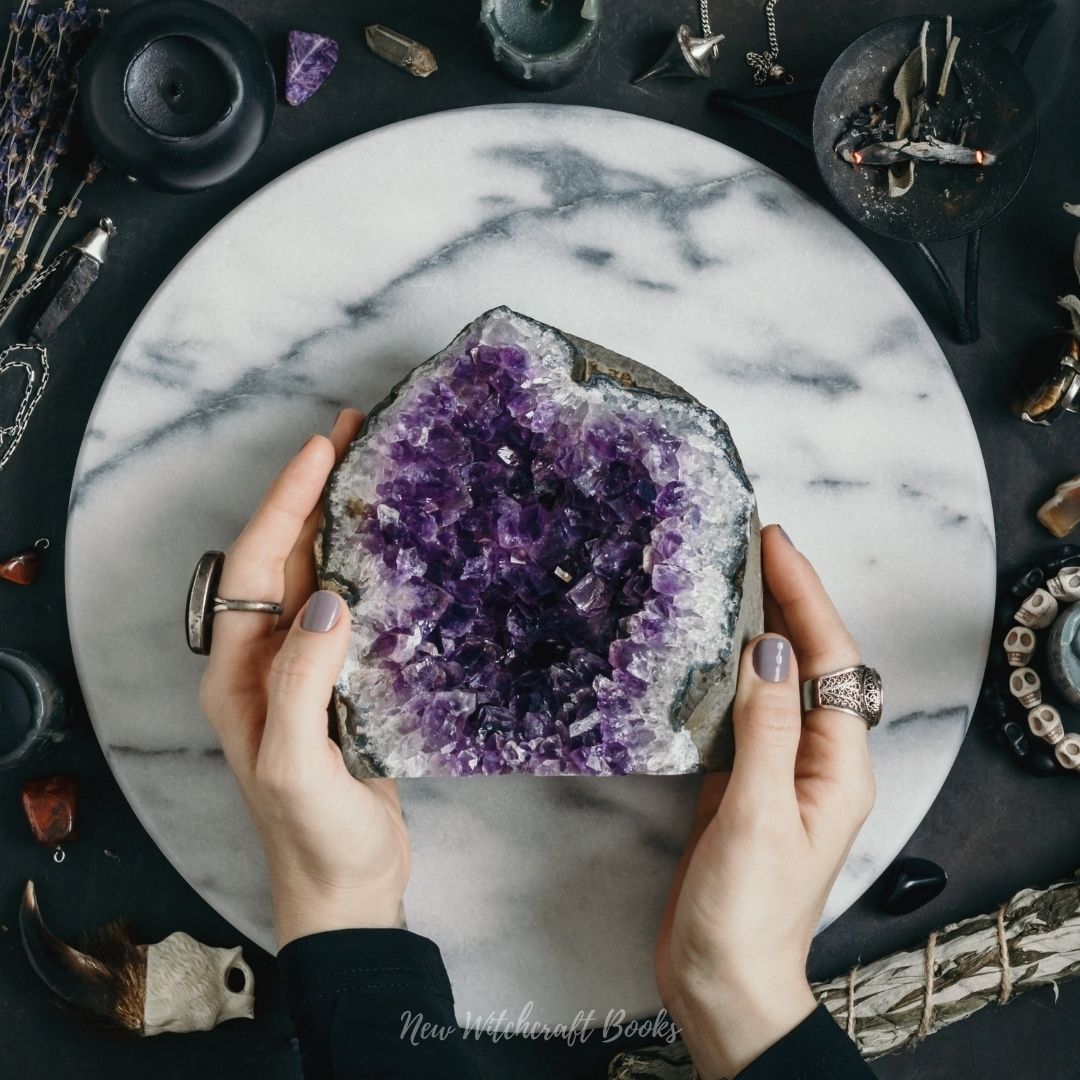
(337,848)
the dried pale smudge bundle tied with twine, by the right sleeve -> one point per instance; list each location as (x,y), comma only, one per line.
(1033,940)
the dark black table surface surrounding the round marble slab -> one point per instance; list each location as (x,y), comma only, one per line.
(995,829)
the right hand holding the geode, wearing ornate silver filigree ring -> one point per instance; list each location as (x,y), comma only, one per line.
(768,839)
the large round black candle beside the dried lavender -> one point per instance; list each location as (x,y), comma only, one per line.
(177,93)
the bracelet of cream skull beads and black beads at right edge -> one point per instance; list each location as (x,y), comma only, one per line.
(1052,601)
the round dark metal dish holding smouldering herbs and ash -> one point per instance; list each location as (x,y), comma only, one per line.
(943,144)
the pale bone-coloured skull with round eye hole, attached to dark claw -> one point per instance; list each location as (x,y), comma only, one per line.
(187,987)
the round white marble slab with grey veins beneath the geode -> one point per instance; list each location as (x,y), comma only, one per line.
(326,288)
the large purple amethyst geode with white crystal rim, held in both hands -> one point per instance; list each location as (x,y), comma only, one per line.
(551,558)
